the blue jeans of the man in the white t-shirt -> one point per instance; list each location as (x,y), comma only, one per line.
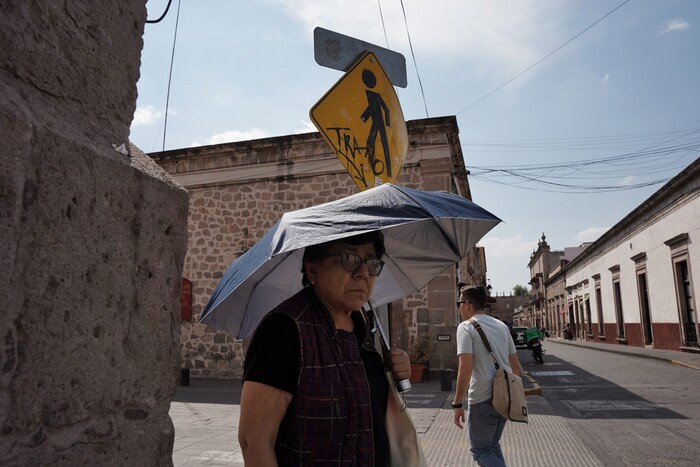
(485,427)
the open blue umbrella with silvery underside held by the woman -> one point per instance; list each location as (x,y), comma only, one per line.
(424,233)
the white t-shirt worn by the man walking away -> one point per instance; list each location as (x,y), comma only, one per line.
(483,371)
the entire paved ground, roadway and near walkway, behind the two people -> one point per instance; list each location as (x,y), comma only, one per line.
(597,409)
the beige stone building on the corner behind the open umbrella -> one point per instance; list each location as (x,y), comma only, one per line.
(239,190)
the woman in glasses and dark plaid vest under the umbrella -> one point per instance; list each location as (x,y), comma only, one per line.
(314,389)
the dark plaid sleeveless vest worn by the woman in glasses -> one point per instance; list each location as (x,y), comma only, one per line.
(329,421)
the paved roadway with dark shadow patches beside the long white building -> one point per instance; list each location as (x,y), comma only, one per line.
(626,410)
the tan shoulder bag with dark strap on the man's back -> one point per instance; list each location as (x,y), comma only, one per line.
(508,392)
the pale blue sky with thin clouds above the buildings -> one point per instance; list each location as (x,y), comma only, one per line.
(571,112)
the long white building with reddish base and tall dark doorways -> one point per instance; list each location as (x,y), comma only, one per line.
(634,285)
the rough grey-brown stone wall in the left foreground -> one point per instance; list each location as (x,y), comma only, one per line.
(93,241)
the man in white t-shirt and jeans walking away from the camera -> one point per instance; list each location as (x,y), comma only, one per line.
(476,372)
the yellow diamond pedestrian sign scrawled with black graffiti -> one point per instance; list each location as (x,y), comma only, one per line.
(361,119)
